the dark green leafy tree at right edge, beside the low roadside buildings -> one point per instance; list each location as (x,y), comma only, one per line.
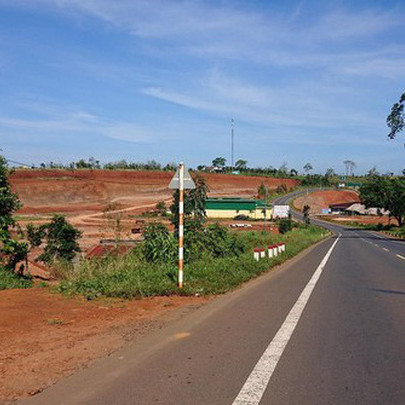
(385,193)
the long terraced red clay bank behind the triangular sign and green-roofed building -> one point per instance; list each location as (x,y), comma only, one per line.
(43,191)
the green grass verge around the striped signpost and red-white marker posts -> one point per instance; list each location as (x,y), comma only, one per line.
(131,276)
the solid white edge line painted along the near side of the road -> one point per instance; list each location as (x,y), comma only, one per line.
(254,387)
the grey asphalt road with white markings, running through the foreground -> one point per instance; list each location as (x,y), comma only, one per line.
(337,340)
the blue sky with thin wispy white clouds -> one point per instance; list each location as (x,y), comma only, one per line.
(160,79)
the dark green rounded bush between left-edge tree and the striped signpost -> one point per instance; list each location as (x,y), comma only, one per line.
(61,241)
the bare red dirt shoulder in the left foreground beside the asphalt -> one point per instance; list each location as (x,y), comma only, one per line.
(45,336)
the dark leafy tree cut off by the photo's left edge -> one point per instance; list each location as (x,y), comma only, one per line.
(12,251)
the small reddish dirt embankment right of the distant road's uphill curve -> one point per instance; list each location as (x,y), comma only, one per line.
(322,199)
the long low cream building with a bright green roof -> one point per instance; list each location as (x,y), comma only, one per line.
(230,207)
